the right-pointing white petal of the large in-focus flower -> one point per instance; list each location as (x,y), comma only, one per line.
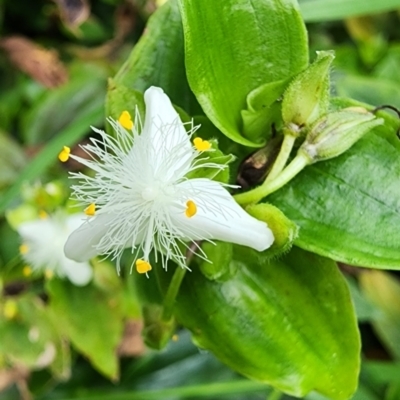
(219,217)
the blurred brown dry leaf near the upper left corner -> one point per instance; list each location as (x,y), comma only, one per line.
(41,64)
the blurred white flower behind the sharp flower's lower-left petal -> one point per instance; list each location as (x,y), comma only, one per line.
(42,247)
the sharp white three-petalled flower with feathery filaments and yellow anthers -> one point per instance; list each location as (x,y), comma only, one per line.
(140,196)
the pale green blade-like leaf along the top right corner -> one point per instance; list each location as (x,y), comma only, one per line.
(329,10)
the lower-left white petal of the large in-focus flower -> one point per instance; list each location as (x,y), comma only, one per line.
(81,243)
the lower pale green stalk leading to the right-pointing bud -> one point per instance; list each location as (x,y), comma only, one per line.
(255,195)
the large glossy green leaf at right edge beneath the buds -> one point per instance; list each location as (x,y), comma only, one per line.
(347,208)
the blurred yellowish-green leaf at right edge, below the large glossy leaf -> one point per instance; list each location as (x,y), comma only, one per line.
(384,292)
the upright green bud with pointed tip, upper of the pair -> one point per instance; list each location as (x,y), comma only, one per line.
(307,97)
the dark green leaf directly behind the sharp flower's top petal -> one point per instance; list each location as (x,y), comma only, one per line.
(158,59)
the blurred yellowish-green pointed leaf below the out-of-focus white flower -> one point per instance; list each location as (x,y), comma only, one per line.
(92,319)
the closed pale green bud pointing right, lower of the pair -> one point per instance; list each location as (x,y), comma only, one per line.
(336,132)
